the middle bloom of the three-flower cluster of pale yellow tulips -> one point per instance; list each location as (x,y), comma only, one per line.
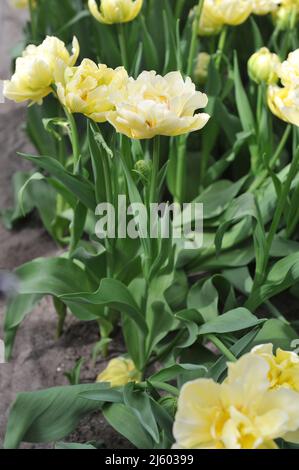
(86,89)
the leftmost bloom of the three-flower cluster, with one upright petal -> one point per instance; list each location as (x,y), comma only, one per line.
(38,68)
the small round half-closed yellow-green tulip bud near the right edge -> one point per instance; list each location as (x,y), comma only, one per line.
(263,66)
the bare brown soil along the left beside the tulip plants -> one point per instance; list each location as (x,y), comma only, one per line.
(39,360)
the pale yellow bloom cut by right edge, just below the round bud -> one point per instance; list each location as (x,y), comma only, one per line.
(284,103)
